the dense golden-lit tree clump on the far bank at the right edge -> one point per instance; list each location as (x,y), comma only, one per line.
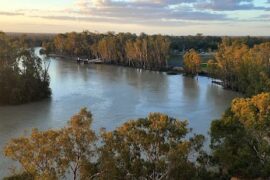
(242,68)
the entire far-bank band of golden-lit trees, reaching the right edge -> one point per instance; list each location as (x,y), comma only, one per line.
(241,63)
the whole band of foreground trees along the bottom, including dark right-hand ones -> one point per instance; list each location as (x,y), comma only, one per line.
(155,147)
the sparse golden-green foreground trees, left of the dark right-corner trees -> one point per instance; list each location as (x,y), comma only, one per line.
(155,147)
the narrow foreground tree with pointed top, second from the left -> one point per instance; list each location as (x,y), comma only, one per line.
(77,142)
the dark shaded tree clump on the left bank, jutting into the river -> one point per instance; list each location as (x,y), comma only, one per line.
(23,76)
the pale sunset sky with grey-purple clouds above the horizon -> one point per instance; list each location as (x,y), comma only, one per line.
(171,17)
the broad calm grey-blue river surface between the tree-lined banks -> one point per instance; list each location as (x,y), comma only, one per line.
(114,95)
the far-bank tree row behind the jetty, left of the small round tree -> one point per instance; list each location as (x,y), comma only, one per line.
(143,51)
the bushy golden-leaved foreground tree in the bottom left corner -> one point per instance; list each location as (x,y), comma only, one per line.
(39,154)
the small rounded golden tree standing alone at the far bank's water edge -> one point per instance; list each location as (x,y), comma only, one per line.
(192,62)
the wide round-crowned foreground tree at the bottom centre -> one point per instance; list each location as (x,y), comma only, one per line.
(151,148)
